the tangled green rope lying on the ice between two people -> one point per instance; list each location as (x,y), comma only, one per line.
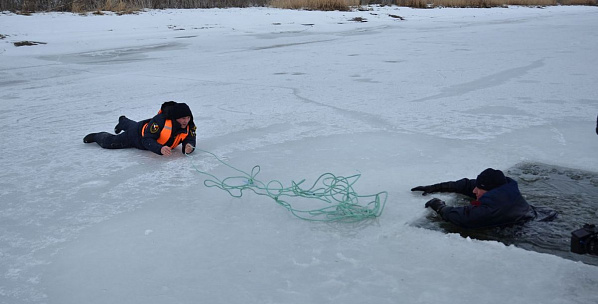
(342,203)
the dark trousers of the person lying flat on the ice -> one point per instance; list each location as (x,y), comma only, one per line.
(130,138)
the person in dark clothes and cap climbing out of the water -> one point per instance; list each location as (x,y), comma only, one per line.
(498,201)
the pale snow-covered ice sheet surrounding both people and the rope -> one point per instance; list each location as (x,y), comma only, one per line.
(438,96)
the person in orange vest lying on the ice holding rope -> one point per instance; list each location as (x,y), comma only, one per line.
(172,126)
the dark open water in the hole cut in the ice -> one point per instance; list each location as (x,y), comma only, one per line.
(572,193)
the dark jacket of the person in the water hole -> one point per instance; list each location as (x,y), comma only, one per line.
(501,206)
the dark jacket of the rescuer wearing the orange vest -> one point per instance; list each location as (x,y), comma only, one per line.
(149,139)
